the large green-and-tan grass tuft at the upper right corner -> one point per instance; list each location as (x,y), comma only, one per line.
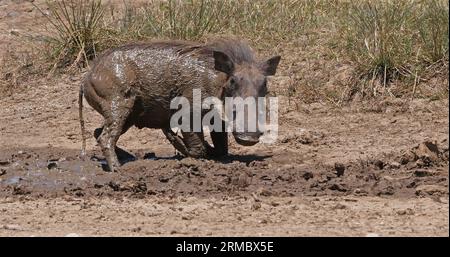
(389,39)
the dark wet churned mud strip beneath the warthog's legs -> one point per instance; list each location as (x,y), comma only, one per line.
(36,172)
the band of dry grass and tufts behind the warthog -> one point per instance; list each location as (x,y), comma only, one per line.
(333,51)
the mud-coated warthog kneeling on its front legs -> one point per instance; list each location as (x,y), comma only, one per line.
(135,83)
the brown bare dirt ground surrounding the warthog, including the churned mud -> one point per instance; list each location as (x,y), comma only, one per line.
(365,169)
